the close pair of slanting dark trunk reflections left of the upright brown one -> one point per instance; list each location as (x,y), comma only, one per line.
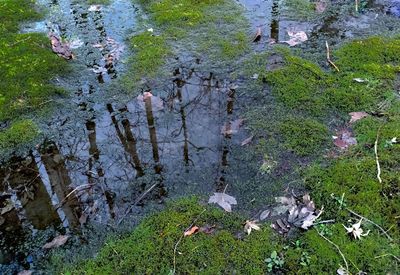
(128,141)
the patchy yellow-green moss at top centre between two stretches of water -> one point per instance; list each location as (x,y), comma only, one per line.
(215,31)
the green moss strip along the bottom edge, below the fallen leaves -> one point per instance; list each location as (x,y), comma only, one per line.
(149,249)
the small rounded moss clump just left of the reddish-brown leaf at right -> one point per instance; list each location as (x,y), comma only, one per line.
(303,136)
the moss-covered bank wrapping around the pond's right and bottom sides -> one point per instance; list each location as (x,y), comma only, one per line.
(305,99)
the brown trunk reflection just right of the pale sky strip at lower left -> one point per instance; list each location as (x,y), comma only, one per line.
(60,182)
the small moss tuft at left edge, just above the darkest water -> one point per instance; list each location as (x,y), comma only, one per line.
(19,133)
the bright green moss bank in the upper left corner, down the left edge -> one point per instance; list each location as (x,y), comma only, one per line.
(27,67)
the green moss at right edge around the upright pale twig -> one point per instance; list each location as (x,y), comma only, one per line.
(354,175)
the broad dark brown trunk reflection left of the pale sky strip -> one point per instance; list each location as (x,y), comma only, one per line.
(32,193)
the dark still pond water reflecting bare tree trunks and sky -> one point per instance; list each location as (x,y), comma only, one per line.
(108,161)
